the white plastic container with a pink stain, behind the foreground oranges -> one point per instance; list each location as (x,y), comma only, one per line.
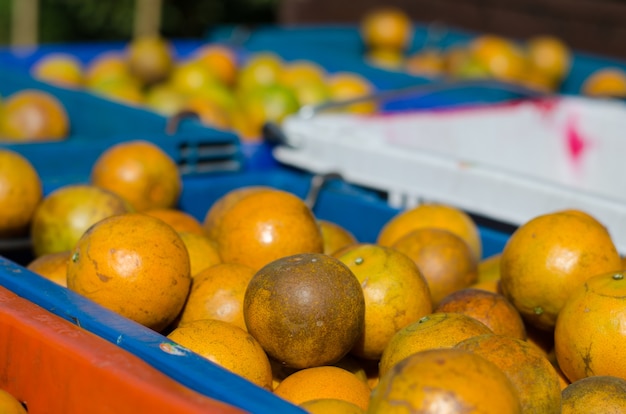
(509,162)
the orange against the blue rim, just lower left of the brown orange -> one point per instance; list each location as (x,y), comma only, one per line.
(228,346)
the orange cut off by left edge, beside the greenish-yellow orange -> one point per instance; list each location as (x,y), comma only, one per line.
(21,191)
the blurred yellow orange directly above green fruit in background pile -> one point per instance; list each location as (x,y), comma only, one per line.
(260,69)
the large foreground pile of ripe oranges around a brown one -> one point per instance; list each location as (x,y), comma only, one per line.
(298,306)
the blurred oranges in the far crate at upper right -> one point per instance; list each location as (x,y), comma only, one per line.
(541,62)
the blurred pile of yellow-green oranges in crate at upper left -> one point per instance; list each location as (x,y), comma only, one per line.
(225,90)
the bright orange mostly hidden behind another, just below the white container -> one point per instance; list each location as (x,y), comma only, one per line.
(432,215)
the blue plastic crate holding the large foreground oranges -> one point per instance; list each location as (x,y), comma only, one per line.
(361,212)
